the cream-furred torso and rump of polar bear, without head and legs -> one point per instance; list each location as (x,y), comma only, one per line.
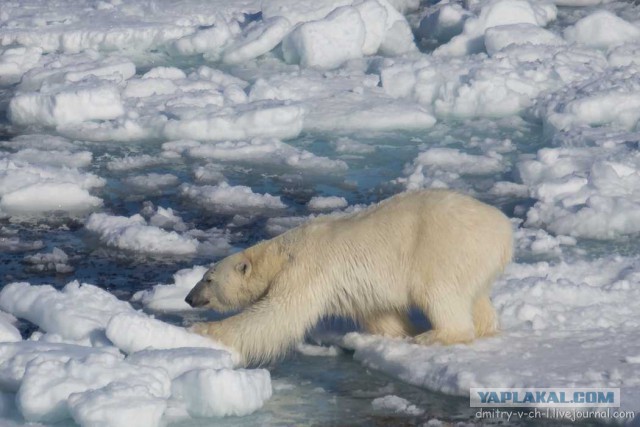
(410,243)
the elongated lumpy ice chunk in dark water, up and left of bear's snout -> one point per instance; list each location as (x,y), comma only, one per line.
(133,234)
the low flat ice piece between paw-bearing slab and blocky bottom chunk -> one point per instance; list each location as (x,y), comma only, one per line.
(180,360)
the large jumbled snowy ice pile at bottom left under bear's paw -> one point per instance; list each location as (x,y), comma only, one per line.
(90,380)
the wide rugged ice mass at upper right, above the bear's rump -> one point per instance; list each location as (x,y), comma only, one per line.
(503,85)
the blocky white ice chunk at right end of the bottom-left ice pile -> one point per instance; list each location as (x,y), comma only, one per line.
(223,392)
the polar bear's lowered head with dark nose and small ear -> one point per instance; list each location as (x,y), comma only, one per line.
(229,285)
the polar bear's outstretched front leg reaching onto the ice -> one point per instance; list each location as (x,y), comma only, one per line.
(270,327)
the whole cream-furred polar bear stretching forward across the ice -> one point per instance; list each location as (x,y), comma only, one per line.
(436,250)
